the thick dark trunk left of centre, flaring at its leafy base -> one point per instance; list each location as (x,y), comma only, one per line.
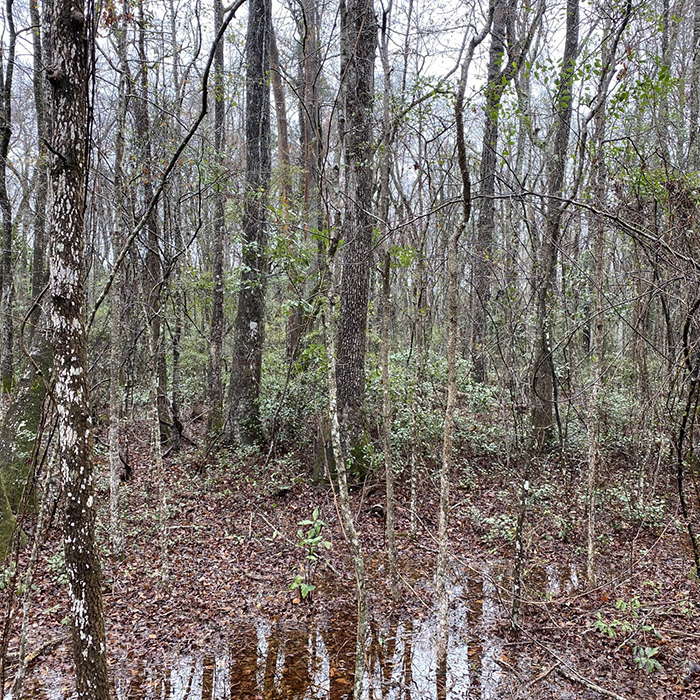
(244,411)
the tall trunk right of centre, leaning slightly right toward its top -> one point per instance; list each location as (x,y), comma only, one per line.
(542,403)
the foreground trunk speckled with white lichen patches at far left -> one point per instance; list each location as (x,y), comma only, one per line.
(68,76)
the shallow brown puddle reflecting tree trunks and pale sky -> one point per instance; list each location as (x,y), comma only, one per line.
(314,660)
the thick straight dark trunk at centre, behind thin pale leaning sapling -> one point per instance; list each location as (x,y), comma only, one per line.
(360,30)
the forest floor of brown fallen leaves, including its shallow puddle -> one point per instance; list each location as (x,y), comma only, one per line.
(223,623)
